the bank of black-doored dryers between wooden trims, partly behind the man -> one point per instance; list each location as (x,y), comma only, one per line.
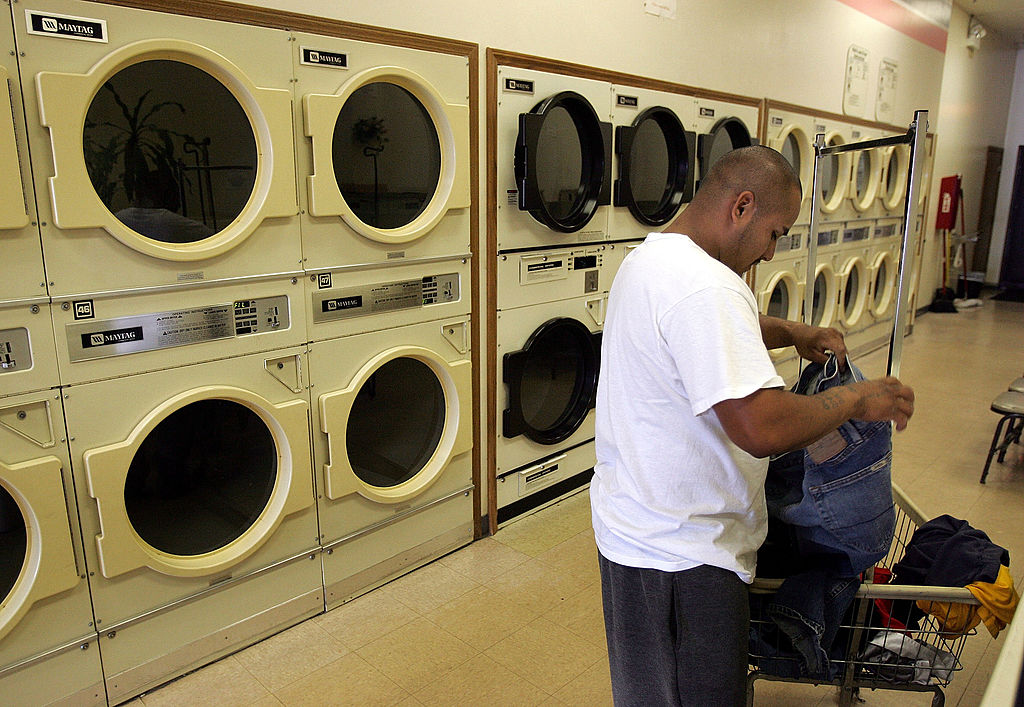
(585,169)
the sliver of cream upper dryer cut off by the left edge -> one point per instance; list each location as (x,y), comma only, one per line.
(20,248)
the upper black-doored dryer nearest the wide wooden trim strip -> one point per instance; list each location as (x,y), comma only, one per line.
(554,143)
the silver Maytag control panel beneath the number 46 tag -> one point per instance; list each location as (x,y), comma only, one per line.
(124,336)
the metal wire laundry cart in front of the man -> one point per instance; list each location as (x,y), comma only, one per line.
(874,648)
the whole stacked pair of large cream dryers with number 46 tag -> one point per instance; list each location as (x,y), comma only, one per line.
(164,163)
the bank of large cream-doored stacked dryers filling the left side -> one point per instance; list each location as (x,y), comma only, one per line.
(236,378)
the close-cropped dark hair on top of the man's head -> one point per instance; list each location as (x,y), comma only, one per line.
(761,171)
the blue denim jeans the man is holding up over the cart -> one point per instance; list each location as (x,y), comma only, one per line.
(837,494)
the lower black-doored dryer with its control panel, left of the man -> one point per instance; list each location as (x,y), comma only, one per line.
(550,314)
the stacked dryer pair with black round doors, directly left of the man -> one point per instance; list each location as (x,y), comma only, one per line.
(554,146)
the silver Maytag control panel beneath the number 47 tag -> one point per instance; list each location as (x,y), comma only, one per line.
(371,300)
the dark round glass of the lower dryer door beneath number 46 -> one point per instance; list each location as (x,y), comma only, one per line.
(201,479)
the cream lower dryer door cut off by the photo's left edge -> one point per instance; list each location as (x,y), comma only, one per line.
(37,558)
